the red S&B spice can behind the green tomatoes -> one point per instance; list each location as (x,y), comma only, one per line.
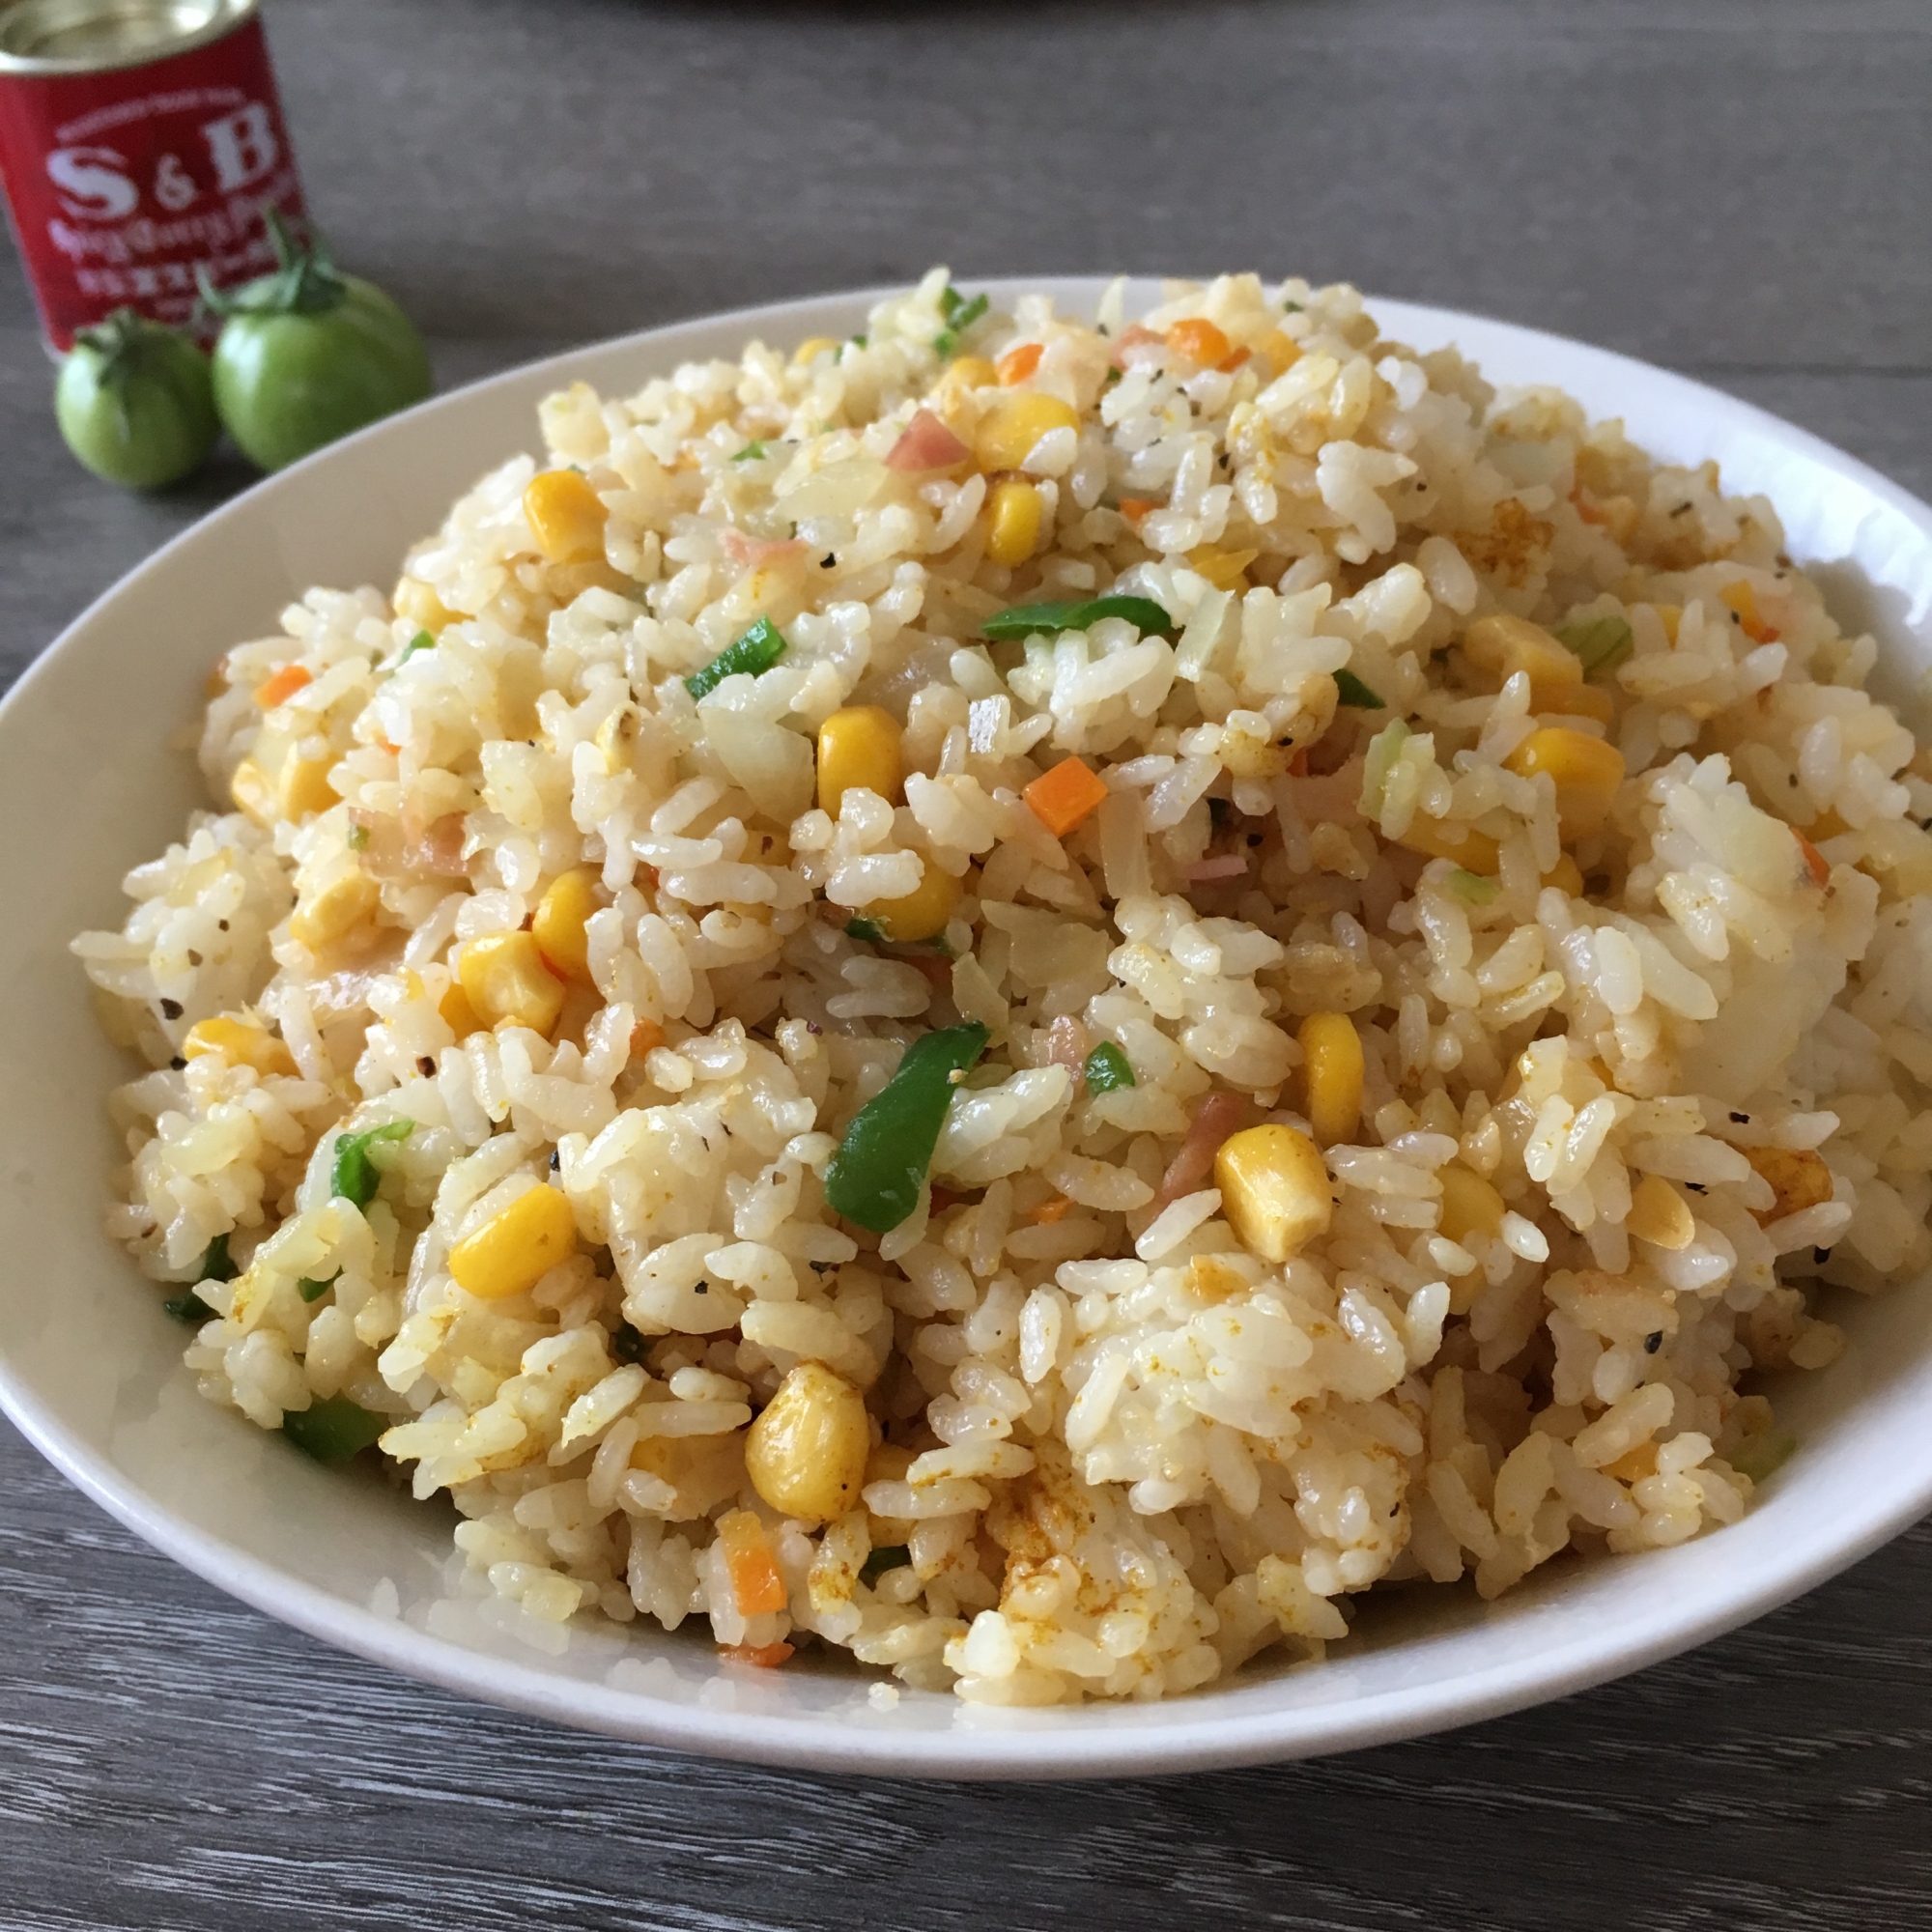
(140,140)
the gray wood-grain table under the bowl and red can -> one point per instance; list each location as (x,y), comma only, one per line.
(1732,190)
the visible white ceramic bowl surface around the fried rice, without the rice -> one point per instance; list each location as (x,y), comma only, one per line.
(90,1367)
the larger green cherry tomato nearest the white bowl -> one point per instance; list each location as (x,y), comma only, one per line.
(308,355)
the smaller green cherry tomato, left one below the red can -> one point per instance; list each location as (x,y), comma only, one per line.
(134,403)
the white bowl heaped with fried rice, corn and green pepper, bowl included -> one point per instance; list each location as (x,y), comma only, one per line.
(1002,1031)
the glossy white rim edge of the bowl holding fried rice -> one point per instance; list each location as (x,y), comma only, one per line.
(1079,1749)
